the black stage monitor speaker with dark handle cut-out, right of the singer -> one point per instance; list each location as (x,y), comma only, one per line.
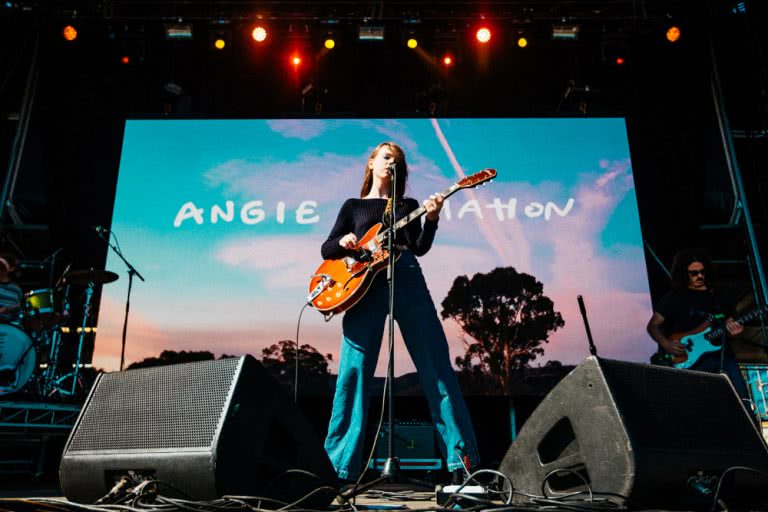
(652,434)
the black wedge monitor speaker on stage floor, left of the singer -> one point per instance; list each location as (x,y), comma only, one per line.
(208,428)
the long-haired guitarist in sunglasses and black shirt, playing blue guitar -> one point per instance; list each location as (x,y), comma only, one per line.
(688,308)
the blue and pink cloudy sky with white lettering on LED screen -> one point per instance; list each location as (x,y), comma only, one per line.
(225,219)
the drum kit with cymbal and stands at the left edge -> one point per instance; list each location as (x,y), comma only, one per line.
(30,347)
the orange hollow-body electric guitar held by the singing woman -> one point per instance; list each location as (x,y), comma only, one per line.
(337,285)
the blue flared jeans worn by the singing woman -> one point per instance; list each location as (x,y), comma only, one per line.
(363,328)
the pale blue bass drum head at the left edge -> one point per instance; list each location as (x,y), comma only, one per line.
(17,359)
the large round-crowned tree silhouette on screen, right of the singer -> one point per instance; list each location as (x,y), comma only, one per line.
(508,317)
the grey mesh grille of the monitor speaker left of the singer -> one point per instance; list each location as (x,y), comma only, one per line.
(180,407)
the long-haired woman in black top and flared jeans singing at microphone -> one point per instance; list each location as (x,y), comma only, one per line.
(363,324)
